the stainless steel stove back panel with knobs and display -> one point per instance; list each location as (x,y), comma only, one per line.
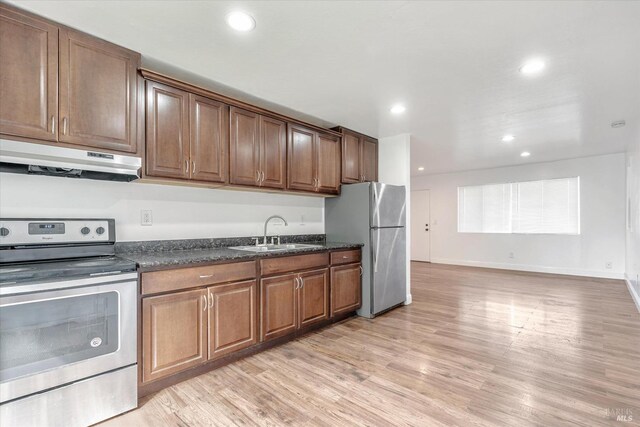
(17,232)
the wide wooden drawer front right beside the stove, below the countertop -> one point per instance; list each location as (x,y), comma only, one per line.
(183,278)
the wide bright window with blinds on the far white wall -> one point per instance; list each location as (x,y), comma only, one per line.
(534,207)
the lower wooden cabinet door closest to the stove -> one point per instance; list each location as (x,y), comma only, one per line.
(174,333)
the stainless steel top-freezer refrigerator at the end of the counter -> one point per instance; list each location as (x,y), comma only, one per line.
(374,214)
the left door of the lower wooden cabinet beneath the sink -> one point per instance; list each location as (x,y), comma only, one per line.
(278,305)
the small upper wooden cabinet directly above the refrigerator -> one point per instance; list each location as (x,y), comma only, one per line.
(359,157)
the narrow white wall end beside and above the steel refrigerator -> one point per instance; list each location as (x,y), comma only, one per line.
(394,167)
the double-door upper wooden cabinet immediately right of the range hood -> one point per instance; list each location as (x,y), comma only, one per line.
(186,135)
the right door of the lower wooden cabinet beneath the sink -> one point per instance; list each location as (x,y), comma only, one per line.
(314,297)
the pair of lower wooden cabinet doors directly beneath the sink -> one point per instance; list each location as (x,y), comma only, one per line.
(293,301)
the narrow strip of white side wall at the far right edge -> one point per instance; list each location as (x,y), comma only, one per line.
(633,226)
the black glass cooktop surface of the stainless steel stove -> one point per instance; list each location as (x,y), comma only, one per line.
(65,269)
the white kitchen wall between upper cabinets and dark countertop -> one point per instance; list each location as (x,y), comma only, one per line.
(178,212)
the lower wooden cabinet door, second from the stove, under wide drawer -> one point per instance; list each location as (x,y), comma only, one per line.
(232,318)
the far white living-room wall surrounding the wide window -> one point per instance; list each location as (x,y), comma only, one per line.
(602,238)
